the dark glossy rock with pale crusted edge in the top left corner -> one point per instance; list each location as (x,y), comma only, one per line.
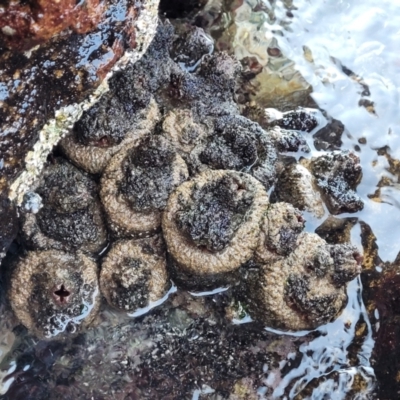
(45,89)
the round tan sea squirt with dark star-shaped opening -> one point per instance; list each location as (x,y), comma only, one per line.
(54,293)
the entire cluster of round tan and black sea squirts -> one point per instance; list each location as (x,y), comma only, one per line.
(166,172)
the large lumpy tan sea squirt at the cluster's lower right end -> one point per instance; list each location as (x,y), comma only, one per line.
(305,289)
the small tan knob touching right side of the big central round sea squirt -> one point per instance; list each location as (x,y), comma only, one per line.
(280,228)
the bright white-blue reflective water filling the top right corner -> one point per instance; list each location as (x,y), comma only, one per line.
(324,39)
